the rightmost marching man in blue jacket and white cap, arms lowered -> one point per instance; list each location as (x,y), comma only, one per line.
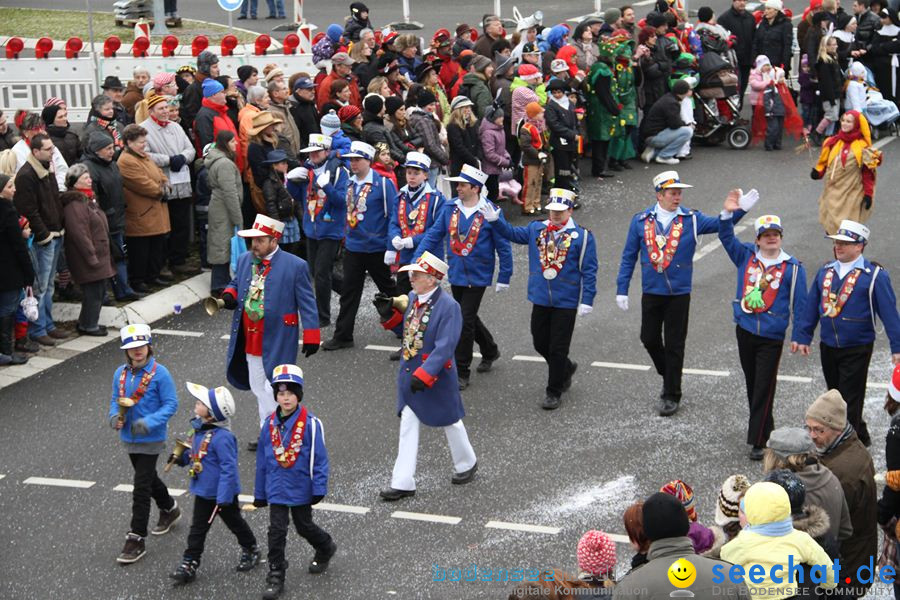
(845,296)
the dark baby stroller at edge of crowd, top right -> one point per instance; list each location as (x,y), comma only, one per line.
(718,95)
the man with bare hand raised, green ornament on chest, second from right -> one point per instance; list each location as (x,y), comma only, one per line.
(771,290)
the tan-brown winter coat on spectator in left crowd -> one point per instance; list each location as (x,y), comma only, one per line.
(145,212)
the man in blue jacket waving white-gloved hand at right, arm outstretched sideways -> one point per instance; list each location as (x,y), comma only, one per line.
(662,236)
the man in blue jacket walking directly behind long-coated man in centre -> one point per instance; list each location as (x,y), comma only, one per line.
(474,245)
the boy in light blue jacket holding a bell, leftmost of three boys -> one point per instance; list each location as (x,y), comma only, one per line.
(143,400)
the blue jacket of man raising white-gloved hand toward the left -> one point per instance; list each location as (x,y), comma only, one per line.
(576,283)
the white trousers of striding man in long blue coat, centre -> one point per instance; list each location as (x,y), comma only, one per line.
(404,475)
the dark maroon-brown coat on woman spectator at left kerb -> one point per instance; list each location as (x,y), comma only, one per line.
(87,239)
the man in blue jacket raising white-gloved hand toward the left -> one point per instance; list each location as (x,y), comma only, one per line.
(562,283)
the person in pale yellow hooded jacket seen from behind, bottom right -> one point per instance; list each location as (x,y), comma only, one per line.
(770,540)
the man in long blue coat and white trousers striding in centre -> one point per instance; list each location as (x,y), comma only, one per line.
(427,390)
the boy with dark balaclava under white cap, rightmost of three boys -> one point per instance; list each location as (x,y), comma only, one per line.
(291,476)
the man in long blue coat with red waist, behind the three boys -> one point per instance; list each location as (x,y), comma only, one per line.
(268,291)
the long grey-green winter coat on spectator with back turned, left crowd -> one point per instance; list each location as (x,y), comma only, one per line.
(224,181)
